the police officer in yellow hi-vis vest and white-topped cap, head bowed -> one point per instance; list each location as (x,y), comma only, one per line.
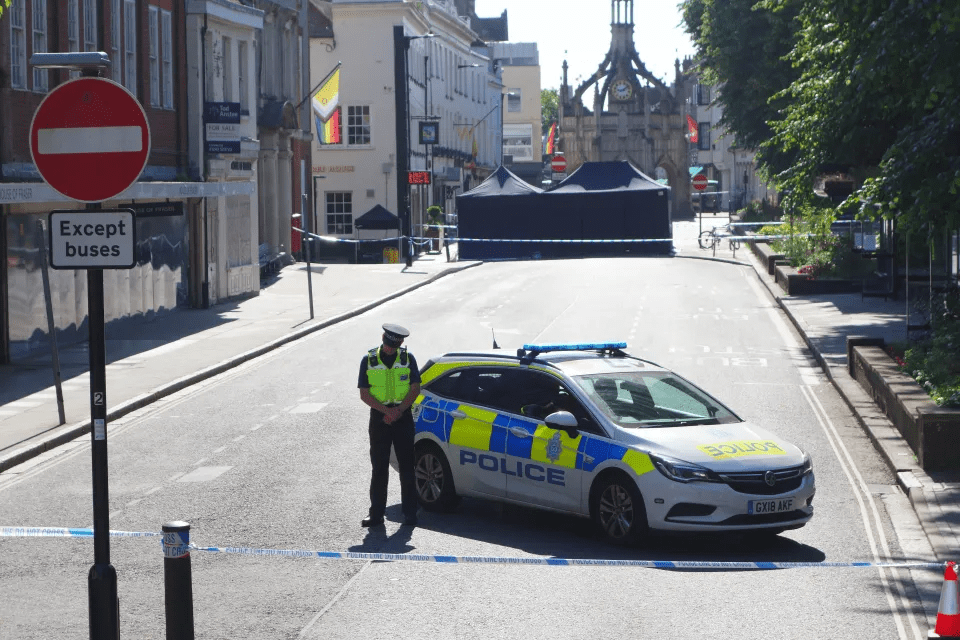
(389,383)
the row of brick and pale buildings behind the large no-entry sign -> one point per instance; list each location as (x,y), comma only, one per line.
(220,82)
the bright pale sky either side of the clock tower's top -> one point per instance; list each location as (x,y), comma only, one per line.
(564,29)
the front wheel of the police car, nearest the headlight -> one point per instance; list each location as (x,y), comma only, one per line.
(618,510)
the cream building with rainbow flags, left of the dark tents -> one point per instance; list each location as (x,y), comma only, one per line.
(414,118)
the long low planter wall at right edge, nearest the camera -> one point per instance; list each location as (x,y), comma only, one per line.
(932,432)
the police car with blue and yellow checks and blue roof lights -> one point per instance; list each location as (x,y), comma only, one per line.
(589,430)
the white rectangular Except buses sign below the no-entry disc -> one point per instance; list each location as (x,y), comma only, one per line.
(82,239)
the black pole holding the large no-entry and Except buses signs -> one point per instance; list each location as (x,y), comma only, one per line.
(102,580)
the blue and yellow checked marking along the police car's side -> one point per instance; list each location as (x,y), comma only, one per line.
(487,433)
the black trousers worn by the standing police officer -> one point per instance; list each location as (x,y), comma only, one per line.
(399,435)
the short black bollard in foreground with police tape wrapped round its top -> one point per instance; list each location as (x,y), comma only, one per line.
(177,581)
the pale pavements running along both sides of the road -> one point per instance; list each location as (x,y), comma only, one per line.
(151,359)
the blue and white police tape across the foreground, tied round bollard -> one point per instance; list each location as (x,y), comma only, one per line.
(20,532)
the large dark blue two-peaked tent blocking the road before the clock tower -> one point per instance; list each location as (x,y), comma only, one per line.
(598,201)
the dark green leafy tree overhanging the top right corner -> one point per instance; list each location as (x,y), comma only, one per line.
(878,95)
